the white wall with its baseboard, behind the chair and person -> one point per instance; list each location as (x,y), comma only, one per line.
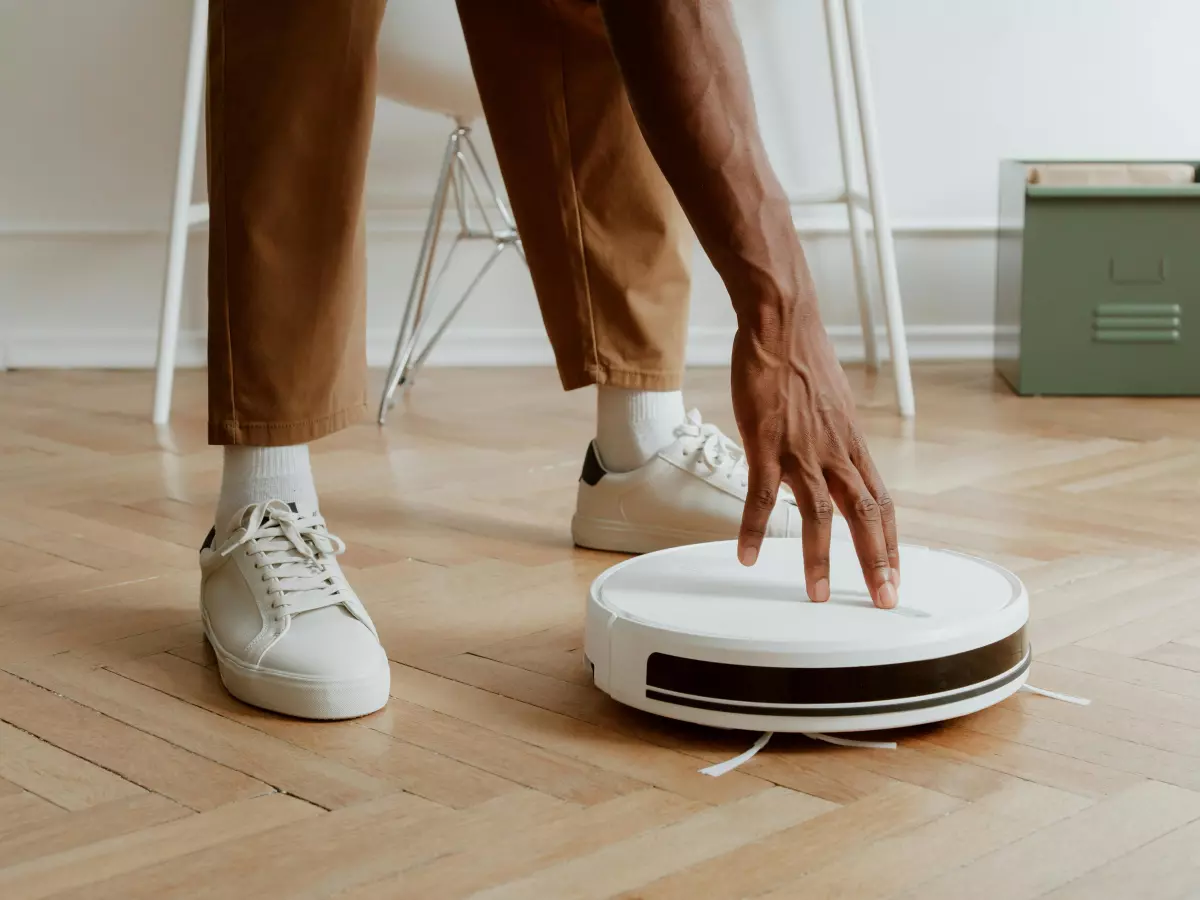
(89,112)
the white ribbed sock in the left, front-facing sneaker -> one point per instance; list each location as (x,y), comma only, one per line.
(254,475)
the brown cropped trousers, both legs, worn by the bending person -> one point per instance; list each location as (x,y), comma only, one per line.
(291,109)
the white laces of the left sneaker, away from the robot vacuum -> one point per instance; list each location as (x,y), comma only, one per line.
(296,553)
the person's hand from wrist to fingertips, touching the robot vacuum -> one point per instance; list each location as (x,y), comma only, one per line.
(796,415)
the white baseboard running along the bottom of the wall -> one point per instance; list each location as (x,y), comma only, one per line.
(135,347)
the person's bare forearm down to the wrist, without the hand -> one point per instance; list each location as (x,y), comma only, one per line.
(688,82)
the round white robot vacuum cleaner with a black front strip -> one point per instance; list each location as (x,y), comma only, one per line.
(691,634)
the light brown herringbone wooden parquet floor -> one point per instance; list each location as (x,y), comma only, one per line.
(497,771)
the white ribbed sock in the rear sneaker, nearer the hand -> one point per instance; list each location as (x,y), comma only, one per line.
(633,427)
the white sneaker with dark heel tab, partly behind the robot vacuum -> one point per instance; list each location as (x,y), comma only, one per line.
(693,491)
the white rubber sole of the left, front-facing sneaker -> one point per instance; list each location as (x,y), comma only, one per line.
(299,697)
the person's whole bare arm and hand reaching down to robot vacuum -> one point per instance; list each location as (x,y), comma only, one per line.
(689,86)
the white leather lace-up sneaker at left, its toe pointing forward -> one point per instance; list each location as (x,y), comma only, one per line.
(289,632)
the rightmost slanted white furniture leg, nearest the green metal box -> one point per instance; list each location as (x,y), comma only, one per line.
(885,247)
